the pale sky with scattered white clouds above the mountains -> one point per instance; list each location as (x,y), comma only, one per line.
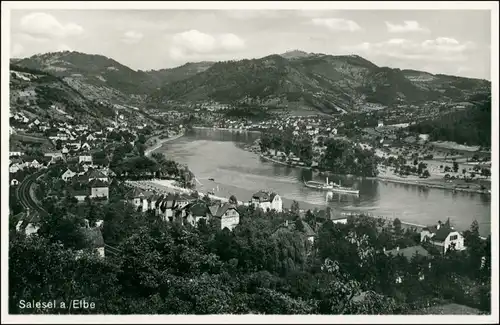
(455,42)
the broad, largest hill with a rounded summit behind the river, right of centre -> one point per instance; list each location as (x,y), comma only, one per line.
(325,82)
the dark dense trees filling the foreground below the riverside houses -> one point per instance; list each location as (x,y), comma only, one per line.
(262,267)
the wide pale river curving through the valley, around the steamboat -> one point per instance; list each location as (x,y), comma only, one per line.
(217,154)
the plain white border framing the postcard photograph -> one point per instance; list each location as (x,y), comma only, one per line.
(223,319)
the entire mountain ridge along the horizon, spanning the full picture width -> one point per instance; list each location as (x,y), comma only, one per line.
(340,83)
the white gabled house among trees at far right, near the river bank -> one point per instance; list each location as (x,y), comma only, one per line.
(443,236)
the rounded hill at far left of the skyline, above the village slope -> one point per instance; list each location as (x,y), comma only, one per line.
(94,76)
